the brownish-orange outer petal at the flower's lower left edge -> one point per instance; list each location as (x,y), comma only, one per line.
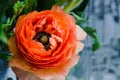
(16,57)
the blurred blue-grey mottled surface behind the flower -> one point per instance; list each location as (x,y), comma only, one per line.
(103,64)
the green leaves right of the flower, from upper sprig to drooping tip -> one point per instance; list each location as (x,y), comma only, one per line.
(80,19)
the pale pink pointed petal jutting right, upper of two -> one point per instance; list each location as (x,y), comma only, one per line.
(81,35)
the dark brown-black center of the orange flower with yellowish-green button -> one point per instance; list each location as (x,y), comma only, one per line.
(43,38)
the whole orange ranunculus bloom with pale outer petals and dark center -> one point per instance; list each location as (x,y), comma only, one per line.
(45,45)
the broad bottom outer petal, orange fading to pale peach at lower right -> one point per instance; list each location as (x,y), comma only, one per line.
(58,73)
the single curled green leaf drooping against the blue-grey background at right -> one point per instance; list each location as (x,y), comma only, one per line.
(93,33)
